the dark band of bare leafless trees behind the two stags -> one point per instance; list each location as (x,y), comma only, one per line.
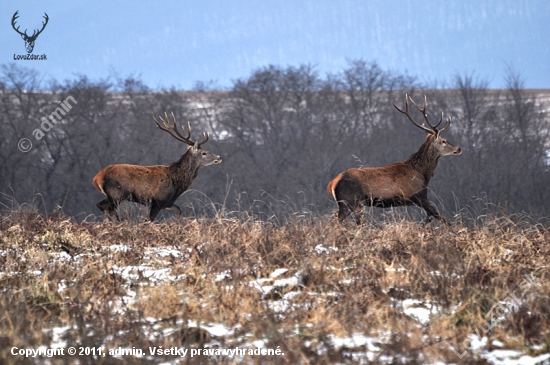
(283,134)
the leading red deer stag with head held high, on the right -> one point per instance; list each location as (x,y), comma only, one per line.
(399,184)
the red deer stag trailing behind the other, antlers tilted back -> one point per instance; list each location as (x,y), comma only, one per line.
(159,186)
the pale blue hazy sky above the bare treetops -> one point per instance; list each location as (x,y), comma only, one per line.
(176,43)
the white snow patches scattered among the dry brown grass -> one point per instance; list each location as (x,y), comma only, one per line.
(363,348)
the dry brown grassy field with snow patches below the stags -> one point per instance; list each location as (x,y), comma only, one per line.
(304,292)
